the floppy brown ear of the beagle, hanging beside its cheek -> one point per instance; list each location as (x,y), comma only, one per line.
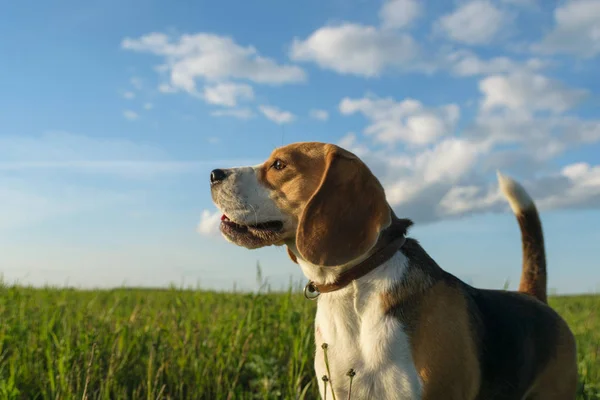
(344,216)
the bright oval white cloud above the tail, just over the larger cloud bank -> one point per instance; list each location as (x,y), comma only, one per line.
(528,92)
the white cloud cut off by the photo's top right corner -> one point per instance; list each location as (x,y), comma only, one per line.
(576,30)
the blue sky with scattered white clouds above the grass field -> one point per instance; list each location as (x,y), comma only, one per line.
(113,114)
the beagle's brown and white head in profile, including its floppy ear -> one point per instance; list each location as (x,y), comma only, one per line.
(314,197)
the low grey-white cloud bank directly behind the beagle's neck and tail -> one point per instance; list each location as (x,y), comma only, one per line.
(447,181)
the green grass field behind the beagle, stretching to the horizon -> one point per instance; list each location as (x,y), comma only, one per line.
(176,344)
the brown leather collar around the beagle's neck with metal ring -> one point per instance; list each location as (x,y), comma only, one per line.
(390,241)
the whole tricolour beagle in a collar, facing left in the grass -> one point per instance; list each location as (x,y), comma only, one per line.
(386,311)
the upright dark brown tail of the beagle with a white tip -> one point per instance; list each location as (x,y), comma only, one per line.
(533,275)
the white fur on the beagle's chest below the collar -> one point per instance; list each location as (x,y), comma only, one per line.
(360,336)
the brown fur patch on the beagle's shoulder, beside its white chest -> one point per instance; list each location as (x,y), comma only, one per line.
(436,319)
